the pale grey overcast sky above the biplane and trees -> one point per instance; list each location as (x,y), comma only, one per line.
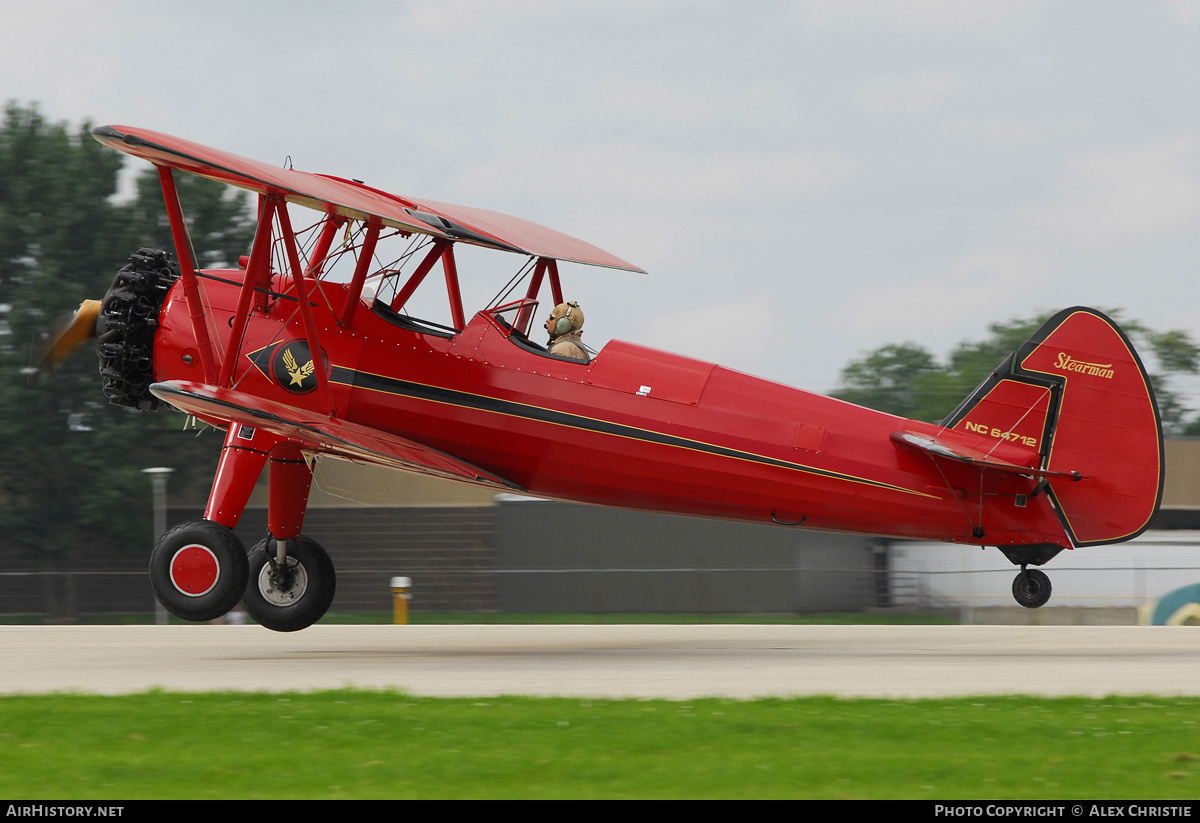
(805,182)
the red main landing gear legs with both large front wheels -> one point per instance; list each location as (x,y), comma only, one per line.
(200,570)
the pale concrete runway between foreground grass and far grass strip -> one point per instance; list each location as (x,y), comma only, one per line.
(610,660)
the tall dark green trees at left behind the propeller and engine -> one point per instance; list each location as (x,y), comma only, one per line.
(71,465)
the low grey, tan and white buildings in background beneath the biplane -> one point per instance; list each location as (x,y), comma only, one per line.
(470,550)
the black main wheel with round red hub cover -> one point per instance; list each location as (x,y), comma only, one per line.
(199,570)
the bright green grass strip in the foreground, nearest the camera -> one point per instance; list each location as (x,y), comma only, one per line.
(385,744)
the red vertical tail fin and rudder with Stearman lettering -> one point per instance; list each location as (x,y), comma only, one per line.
(1076,399)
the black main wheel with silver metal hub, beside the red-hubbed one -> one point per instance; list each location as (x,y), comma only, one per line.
(293,596)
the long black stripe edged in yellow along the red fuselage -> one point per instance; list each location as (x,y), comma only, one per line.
(461,399)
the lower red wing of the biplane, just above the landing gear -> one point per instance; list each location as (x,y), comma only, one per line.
(323,435)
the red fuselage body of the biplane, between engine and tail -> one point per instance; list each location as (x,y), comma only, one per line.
(637,428)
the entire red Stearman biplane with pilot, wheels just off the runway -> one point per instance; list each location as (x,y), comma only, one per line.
(1060,447)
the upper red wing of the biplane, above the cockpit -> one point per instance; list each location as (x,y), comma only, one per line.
(358,202)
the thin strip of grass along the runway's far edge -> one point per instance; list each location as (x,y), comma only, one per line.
(499,618)
